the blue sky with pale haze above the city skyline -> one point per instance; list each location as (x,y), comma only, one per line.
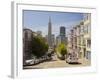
(38,20)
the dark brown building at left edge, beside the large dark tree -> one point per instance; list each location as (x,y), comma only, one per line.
(27,40)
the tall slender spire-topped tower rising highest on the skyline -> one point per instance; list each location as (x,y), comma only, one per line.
(50,33)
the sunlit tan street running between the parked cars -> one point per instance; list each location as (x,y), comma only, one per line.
(56,63)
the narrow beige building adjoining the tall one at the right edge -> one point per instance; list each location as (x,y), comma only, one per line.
(80,40)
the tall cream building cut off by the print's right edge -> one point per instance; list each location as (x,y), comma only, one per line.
(87,35)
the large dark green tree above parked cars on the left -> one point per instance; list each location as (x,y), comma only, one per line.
(39,47)
